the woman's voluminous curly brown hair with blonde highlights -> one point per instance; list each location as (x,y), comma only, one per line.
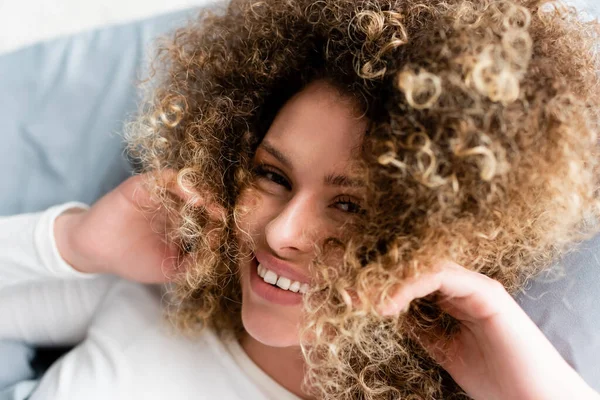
(481,148)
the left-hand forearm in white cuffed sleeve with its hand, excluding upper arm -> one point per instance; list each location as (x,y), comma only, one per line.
(122,234)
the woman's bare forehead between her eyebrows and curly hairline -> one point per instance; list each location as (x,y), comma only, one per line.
(318,127)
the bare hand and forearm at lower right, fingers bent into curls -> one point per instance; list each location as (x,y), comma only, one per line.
(499,353)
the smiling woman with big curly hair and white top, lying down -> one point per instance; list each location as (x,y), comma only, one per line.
(315,167)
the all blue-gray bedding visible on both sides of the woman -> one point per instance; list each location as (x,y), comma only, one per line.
(62,107)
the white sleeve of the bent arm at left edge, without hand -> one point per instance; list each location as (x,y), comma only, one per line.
(43,300)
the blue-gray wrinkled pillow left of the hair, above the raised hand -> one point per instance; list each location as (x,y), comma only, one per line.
(62,107)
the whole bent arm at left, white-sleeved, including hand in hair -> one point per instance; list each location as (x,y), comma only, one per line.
(122,234)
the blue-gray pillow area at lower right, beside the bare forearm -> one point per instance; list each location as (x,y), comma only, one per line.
(562,302)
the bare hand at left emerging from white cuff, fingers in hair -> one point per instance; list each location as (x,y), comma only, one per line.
(119,235)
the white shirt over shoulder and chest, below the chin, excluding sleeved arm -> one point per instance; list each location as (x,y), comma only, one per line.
(132,351)
